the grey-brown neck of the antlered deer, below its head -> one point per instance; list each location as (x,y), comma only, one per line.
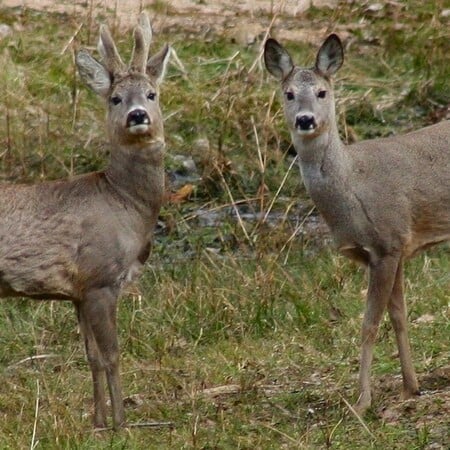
(136,172)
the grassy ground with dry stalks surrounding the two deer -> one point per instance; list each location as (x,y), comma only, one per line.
(244,329)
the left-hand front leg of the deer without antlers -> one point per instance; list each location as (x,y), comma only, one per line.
(381,281)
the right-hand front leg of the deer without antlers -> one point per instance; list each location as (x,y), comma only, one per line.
(397,314)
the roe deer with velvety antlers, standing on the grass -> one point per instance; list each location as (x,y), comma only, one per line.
(82,239)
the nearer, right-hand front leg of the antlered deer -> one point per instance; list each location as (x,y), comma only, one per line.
(99,309)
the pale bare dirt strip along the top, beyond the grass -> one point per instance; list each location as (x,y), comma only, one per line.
(244,21)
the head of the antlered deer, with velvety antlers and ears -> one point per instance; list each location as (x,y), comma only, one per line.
(132,91)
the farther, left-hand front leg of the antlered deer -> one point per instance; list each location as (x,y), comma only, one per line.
(96,366)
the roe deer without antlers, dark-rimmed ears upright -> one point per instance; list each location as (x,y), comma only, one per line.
(383,199)
